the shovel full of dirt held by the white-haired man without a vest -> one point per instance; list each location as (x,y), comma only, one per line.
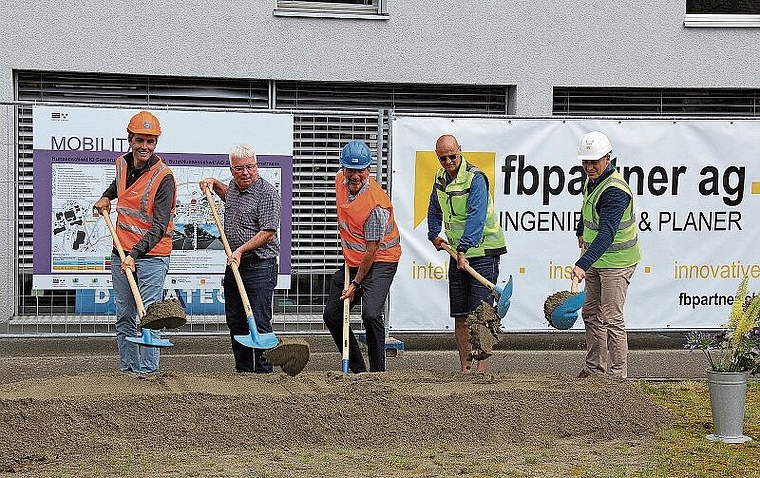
(290,354)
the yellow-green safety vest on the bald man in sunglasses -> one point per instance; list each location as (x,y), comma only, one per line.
(452,196)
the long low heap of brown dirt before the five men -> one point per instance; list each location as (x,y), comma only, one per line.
(397,423)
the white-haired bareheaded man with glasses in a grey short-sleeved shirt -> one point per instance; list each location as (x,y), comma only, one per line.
(252,209)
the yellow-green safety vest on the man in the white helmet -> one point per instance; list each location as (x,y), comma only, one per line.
(624,250)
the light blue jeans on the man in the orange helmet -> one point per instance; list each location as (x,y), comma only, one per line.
(150,275)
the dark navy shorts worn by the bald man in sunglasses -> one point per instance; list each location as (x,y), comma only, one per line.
(465,292)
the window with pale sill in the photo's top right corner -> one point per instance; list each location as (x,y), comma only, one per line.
(722,13)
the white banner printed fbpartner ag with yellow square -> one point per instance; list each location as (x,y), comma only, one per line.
(696,187)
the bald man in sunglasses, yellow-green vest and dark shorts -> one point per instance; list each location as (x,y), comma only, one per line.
(461,201)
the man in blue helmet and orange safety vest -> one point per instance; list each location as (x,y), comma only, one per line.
(371,248)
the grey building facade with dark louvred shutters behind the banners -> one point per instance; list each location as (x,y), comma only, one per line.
(341,67)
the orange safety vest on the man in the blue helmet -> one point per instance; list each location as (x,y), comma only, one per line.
(353,215)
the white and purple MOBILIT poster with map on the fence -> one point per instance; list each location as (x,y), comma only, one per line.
(74,162)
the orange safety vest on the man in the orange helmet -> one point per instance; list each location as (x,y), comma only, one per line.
(135,206)
